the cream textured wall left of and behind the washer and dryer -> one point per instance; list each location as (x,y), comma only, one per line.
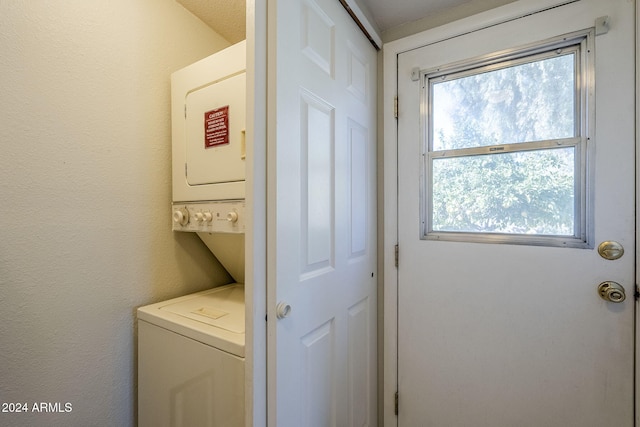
(85,229)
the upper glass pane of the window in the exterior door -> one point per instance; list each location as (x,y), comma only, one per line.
(527,102)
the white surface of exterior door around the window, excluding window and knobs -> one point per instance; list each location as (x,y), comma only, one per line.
(503,335)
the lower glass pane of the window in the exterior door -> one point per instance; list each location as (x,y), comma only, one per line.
(528,192)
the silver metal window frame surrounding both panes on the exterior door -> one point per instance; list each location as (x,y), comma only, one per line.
(584,129)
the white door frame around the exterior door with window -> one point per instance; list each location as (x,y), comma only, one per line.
(391,51)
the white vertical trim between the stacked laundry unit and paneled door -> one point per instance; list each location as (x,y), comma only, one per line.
(255,377)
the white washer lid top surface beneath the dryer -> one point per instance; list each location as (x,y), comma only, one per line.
(220,307)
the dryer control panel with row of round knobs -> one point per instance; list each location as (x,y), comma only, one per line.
(210,217)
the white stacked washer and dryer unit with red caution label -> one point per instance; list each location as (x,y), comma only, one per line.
(191,349)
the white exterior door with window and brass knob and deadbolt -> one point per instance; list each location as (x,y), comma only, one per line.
(516,223)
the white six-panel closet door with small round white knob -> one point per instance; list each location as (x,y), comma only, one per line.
(322,218)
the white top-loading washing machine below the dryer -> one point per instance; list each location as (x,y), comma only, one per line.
(191,360)
